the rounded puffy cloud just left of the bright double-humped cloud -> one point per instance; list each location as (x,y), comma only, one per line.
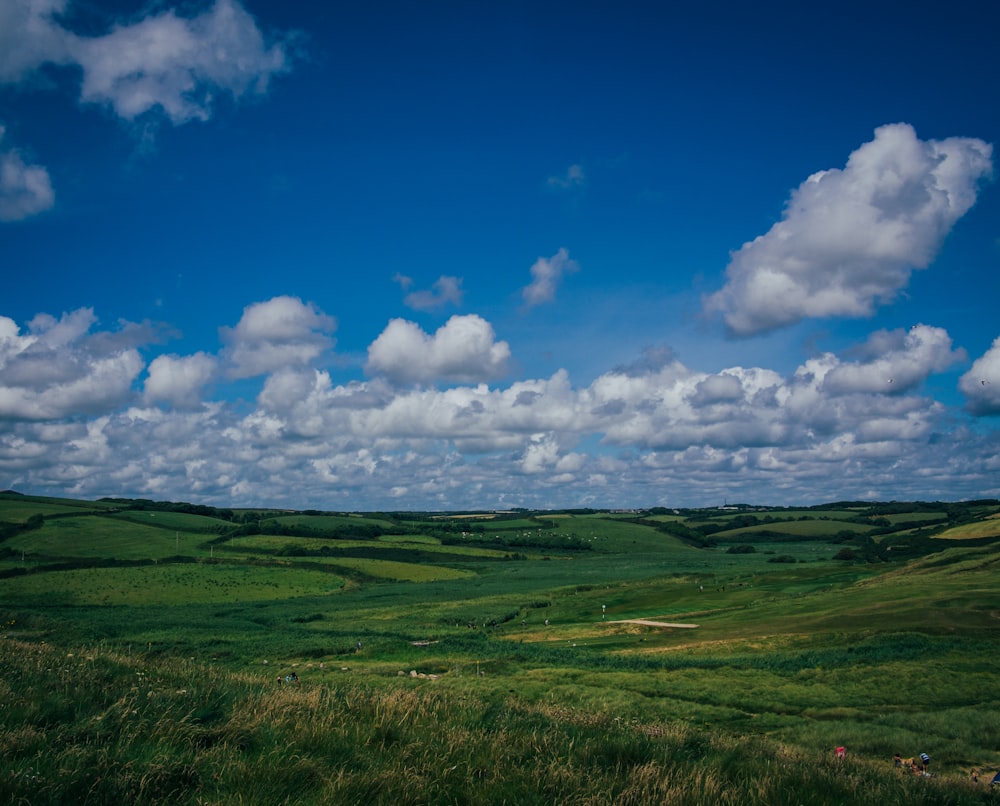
(276,334)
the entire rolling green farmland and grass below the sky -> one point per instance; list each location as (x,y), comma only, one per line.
(493,657)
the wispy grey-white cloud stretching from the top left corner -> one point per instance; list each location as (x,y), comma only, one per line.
(179,65)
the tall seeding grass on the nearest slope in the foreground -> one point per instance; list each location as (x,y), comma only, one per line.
(81,727)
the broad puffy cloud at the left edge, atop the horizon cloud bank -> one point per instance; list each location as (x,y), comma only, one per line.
(59,369)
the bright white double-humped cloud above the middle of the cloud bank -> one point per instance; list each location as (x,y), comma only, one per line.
(463,350)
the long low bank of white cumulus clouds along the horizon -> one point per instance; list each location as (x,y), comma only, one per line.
(655,431)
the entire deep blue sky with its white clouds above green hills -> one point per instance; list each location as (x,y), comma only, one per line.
(464,255)
